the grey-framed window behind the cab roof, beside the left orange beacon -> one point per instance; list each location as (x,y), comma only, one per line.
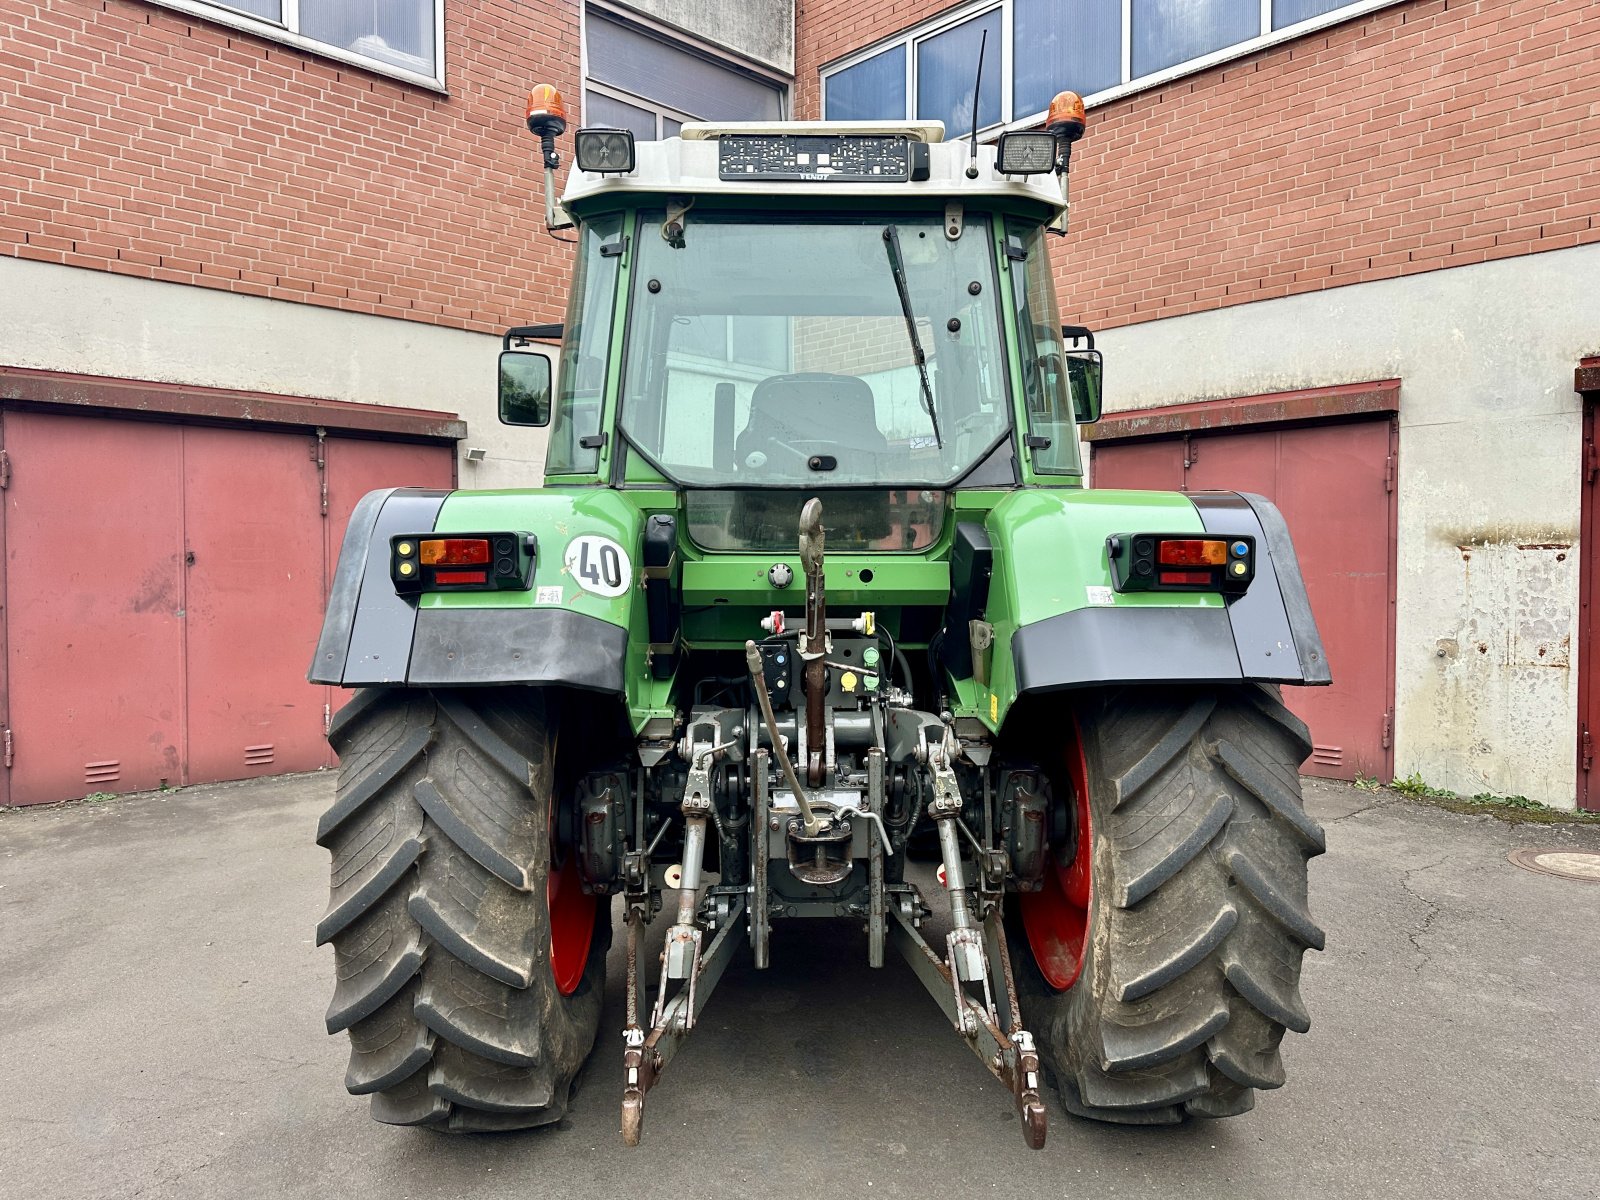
(646,81)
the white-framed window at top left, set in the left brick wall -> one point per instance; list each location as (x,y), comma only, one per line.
(393,38)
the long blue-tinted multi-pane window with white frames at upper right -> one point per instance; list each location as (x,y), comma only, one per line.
(1100,49)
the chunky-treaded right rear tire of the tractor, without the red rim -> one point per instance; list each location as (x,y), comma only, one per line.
(1198,916)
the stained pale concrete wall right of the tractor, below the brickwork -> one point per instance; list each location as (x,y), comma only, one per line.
(1489,494)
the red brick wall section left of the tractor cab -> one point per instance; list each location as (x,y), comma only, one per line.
(151,143)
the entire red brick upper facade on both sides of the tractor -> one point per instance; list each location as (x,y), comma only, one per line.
(151,143)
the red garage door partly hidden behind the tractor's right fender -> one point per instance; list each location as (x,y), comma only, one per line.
(1334,482)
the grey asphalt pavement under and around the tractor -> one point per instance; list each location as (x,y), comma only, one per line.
(162,1038)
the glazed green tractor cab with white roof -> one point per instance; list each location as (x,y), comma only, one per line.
(810,310)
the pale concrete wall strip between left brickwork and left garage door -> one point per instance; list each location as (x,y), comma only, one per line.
(92,322)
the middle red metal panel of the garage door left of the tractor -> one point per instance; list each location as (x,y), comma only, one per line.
(254,522)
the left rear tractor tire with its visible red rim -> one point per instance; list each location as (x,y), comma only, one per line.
(465,1010)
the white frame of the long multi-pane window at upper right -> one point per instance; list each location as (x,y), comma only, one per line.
(1014,121)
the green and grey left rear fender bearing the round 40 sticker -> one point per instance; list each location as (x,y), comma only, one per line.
(561,631)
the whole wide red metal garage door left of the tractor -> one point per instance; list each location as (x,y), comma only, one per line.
(164,591)
